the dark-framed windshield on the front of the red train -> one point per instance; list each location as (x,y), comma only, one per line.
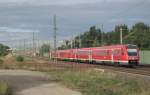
(132,50)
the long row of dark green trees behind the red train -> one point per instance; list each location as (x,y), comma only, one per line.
(139,35)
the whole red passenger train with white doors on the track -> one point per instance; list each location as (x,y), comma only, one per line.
(116,54)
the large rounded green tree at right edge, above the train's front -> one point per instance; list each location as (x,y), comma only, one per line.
(140,35)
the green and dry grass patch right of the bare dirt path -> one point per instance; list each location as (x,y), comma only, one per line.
(94,83)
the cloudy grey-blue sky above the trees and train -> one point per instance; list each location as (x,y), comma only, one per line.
(20,18)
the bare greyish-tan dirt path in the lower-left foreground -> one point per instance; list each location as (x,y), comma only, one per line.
(33,83)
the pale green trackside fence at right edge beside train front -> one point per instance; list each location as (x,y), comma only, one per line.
(145,57)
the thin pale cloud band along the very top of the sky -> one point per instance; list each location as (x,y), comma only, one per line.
(62,2)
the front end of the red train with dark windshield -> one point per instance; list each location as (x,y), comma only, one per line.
(133,54)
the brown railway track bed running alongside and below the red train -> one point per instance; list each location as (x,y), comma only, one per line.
(140,70)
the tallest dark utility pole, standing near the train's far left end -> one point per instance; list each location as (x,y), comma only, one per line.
(55,34)
